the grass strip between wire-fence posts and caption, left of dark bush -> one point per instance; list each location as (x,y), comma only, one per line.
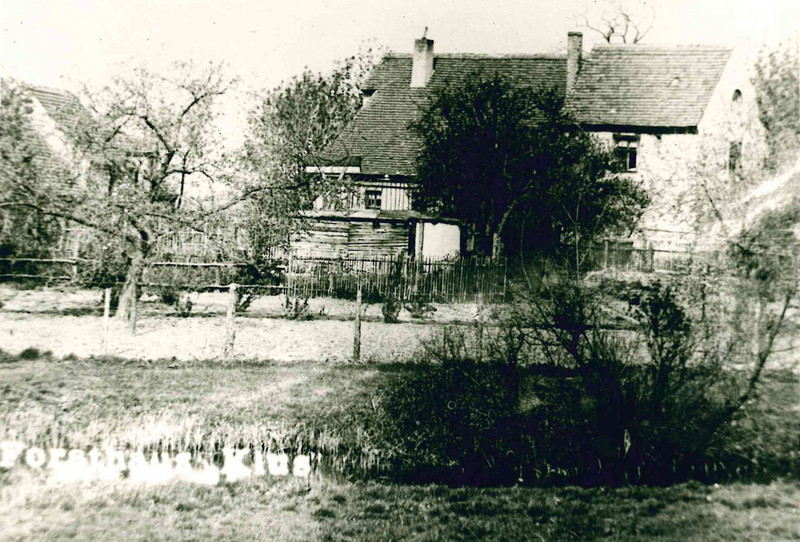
(80,403)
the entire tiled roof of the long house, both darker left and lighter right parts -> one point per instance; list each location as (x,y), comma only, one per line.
(619,85)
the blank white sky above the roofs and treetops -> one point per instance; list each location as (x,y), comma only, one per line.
(61,43)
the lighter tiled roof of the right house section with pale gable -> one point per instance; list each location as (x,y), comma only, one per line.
(648,87)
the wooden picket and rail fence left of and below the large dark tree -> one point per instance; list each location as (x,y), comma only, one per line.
(306,275)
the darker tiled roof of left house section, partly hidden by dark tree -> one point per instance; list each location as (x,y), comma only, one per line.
(380,136)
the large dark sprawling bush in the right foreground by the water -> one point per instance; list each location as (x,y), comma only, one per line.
(657,404)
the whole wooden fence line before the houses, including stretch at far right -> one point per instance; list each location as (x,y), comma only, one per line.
(465,279)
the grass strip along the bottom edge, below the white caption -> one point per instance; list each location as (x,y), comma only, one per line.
(283,510)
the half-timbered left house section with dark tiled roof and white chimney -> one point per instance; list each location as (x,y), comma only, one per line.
(378,152)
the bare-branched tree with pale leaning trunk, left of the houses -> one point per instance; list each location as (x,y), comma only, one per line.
(139,147)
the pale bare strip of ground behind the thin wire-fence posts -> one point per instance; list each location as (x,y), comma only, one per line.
(70,322)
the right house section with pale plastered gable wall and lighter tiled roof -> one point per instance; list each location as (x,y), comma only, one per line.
(684,121)
